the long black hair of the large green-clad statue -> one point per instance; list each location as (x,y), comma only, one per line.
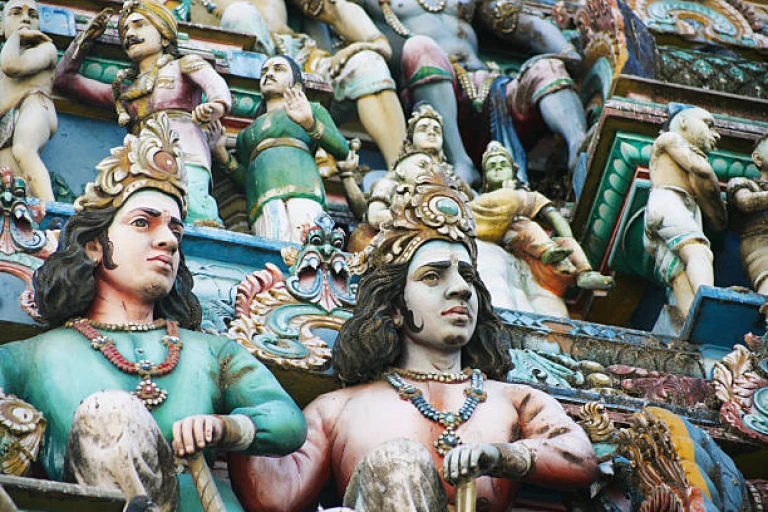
(65,285)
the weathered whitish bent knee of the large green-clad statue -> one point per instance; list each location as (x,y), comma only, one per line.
(115,443)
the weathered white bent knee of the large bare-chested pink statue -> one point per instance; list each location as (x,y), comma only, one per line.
(396,475)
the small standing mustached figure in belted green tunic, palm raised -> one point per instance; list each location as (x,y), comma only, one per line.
(275,160)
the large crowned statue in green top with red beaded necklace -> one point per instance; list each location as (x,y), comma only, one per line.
(124,380)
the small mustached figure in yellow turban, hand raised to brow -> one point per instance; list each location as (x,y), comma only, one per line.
(159,80)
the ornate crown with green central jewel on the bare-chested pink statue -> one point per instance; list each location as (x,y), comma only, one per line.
(432,208)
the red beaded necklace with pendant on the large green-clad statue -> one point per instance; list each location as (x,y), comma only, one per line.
(146,390)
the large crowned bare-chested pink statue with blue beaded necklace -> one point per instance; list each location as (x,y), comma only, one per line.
(425,407)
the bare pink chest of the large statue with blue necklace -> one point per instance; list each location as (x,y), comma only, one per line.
(376,410)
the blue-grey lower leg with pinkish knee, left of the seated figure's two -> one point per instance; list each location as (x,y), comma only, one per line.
(428,73)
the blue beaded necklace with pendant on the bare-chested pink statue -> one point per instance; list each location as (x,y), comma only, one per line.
(449,439)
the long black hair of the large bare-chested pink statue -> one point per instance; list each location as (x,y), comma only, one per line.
(369,343)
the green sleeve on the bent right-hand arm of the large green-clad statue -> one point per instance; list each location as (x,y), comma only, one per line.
(249,388)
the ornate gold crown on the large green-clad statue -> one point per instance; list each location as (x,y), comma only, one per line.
(151,160)
